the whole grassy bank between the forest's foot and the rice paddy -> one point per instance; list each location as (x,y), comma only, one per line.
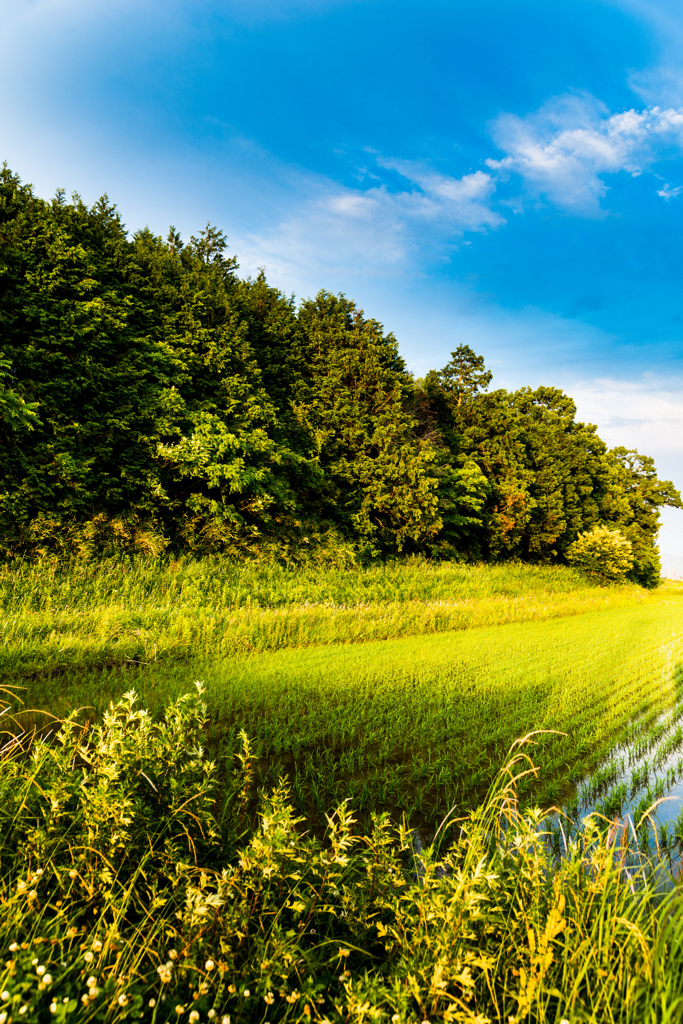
(83,617)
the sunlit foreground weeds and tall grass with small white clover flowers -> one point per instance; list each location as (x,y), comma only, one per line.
(131,892)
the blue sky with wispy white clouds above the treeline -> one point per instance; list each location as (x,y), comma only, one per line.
(506,176)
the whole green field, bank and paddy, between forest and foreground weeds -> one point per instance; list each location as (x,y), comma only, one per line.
(401,688)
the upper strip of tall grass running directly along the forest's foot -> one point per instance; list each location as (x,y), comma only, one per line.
(222,582)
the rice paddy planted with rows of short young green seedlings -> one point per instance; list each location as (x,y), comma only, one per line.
(417,726)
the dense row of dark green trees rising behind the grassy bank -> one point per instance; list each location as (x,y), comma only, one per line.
(153,400)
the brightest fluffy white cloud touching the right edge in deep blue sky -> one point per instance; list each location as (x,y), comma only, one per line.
(564,150)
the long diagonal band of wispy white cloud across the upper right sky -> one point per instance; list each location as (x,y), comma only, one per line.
(562,154)
